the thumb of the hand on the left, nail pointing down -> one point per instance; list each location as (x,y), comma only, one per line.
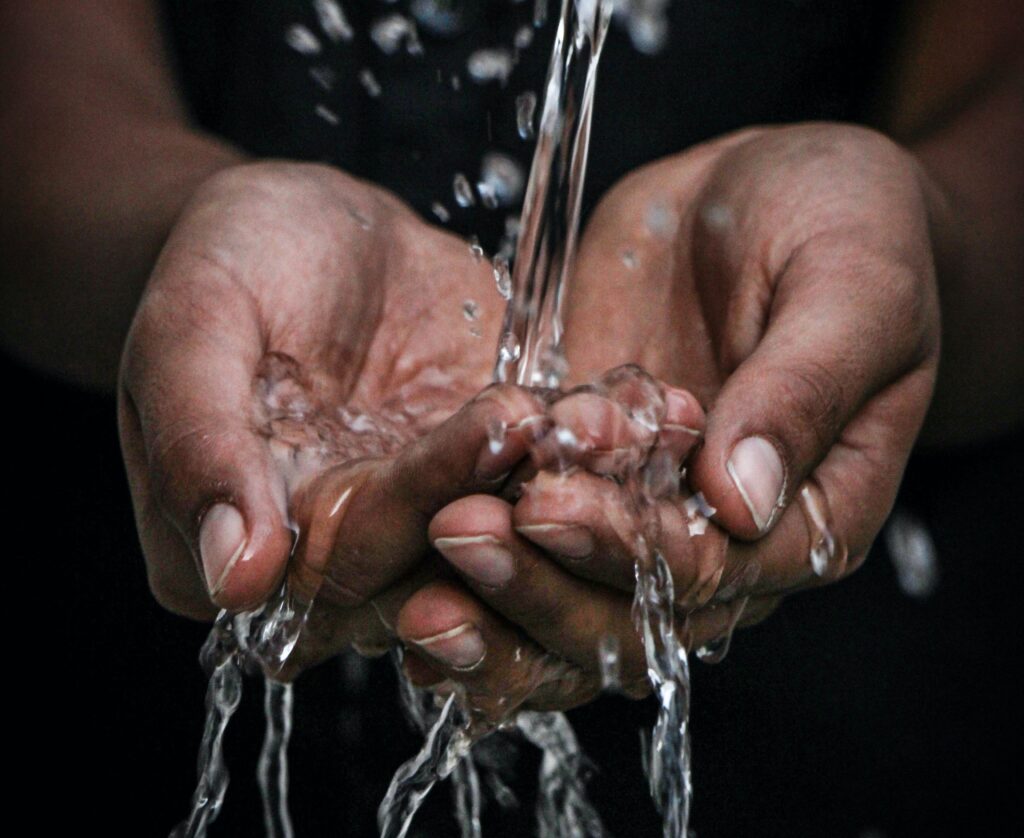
(194,458)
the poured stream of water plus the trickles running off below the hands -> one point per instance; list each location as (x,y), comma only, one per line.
(530,354)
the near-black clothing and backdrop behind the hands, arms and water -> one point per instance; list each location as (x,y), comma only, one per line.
(854,709)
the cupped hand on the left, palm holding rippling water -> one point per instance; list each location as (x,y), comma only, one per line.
(285,296)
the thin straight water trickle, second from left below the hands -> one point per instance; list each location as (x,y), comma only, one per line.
(273,769)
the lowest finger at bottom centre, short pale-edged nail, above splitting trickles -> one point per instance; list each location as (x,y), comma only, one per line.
(449,633)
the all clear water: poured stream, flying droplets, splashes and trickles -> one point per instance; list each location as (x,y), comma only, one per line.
(530,353)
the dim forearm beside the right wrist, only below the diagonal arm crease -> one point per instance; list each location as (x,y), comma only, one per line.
(976,162)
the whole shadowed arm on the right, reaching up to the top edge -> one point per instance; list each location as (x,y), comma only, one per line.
(957,102)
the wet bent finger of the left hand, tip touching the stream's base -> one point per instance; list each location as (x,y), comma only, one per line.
(364,525)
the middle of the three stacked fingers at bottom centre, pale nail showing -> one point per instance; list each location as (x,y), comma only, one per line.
(562,613)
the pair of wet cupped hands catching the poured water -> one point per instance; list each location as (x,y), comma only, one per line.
(303,396)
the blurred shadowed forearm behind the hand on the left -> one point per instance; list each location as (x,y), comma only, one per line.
(99,161)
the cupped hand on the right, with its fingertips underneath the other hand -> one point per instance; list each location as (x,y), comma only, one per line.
(786,278)
